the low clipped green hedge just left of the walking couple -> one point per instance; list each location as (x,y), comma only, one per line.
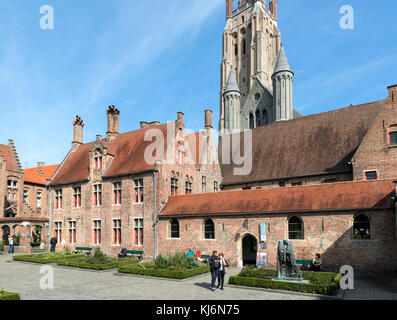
(164,273)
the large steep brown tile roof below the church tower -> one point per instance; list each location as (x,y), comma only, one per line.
(311,145)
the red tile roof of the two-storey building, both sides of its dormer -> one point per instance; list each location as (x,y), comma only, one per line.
(127,148)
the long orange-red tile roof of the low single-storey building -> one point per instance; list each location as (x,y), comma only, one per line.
(332,196)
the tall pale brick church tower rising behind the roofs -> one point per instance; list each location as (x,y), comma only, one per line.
(251,43)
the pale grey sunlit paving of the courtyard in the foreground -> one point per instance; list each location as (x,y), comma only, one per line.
(75,284)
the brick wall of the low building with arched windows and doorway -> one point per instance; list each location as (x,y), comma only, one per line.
(329,234)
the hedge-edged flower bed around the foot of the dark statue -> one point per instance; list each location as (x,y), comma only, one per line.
(326,283)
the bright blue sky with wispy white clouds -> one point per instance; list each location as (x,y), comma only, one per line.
(153,58)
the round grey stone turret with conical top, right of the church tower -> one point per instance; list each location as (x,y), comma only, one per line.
(283,78)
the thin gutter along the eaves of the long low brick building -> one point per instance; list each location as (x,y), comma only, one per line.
(272,212)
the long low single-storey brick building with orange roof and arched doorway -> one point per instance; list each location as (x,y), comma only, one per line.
(348,223)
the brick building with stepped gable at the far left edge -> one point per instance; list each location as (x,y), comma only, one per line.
(23,199)
